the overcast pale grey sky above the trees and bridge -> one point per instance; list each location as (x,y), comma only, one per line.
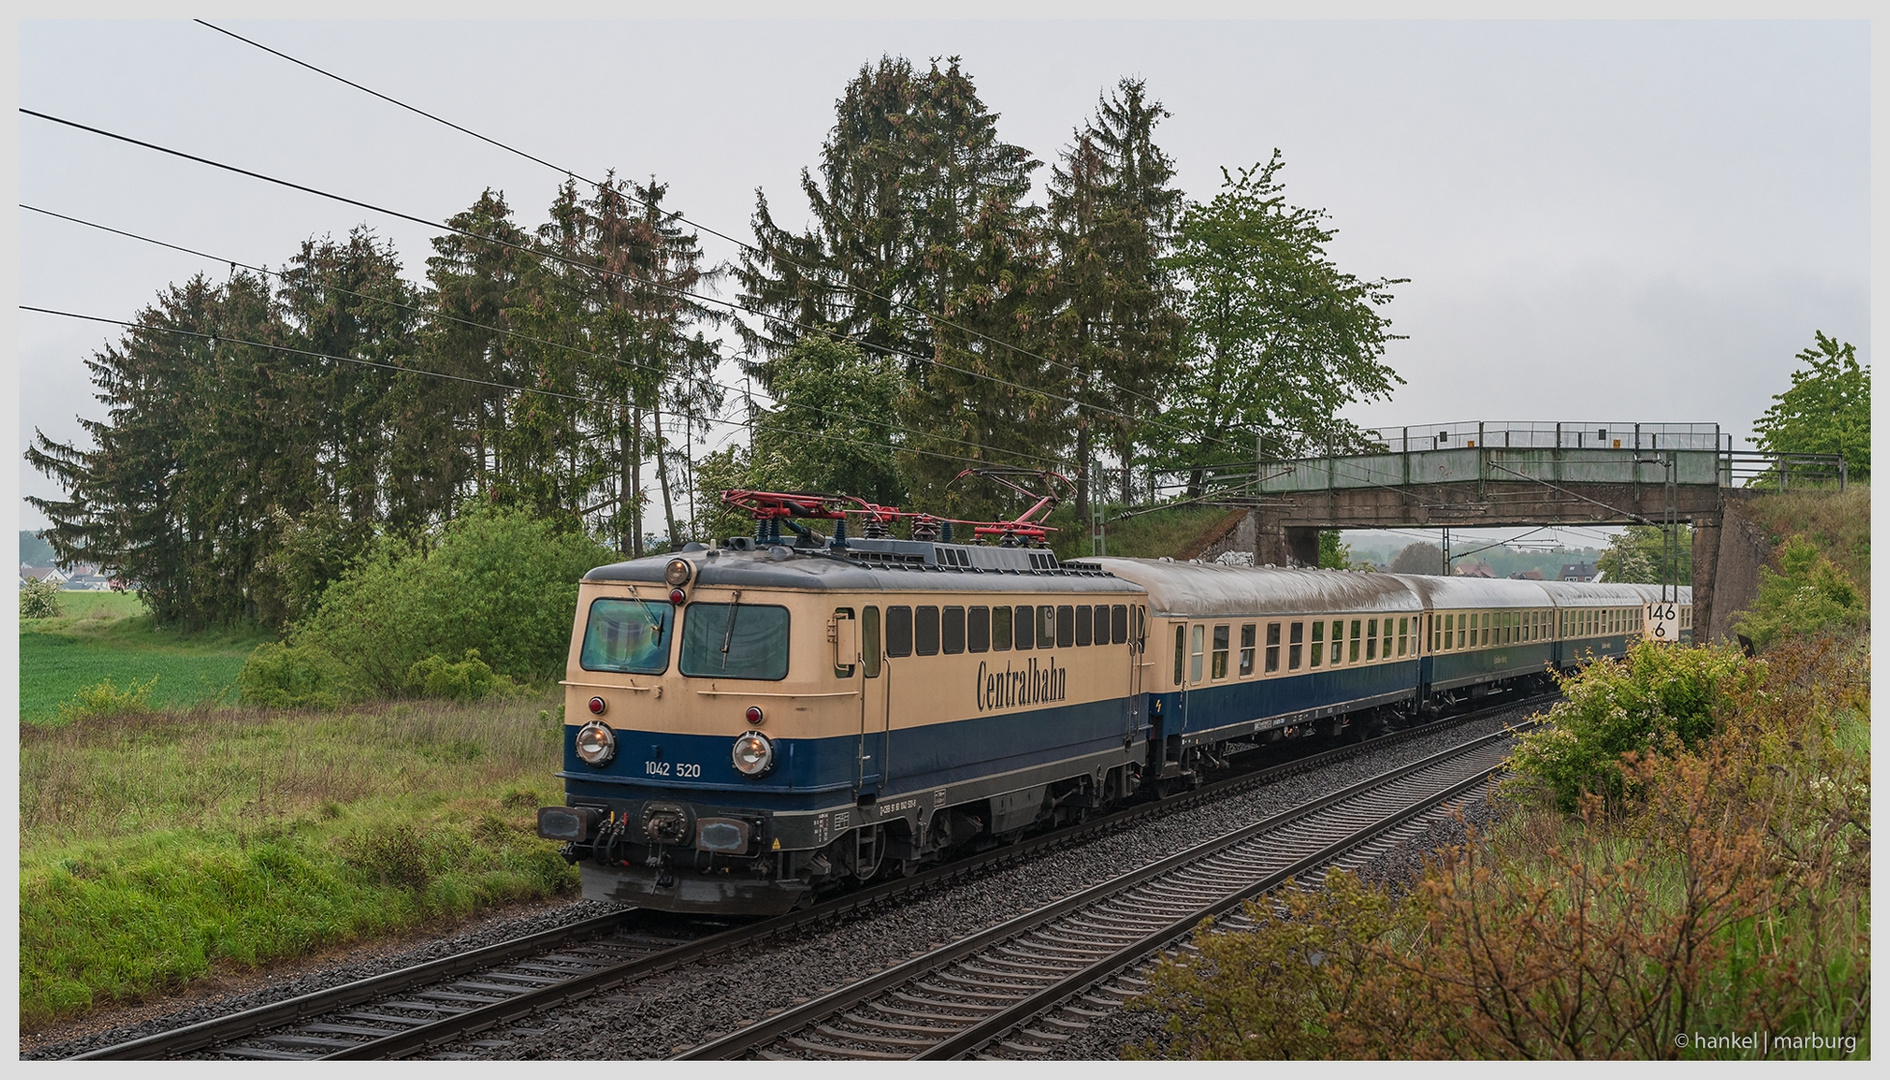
(1600,220)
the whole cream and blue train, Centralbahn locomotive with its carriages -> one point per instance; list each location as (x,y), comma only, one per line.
(757,725)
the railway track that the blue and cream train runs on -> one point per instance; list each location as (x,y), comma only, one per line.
(443,1003)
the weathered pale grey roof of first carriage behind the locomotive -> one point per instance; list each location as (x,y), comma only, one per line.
(1207,589)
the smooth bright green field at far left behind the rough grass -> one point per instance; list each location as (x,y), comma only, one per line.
(111,636)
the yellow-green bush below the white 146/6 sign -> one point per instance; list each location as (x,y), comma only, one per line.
(1658,699)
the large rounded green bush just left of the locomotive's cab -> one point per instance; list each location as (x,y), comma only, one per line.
(496,582)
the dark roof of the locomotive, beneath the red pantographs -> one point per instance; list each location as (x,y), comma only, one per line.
(872,566)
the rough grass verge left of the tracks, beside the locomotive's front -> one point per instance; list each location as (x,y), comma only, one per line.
(160,848)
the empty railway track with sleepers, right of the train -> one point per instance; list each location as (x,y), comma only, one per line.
(974,994)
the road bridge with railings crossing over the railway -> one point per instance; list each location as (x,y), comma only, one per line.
(1477,476)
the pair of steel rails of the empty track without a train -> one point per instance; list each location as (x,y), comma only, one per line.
(802,1017)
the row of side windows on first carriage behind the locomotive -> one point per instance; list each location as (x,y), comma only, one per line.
(1292,646)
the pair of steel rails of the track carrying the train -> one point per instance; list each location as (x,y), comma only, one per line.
(434,1034)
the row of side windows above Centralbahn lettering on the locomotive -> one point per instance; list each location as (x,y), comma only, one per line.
(927,631)
